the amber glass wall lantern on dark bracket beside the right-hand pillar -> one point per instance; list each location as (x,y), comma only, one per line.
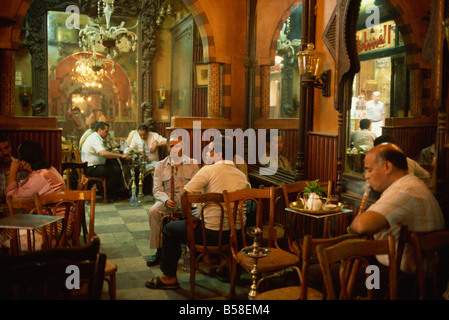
(309,63)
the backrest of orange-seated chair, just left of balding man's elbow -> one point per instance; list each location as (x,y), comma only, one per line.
(309,251)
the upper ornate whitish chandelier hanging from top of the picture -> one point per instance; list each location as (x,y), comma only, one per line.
(112,40)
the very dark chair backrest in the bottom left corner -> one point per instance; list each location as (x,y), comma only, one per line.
(53,274)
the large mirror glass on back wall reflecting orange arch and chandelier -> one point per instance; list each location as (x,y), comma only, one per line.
(91,81)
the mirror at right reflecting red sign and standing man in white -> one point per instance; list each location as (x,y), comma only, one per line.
(387,92)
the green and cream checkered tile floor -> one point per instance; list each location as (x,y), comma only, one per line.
(124,234)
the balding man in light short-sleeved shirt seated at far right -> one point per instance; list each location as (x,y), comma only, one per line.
(405,200)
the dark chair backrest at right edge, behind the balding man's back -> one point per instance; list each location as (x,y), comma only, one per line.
(432,261)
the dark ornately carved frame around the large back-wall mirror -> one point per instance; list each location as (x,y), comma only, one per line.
(145,12)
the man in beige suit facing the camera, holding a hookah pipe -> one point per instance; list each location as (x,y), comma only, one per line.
(183,172)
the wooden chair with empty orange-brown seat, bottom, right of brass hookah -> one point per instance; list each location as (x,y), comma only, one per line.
(302,290)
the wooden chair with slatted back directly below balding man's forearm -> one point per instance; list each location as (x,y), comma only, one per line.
(353,255)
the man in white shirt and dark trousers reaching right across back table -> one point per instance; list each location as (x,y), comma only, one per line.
(95,153)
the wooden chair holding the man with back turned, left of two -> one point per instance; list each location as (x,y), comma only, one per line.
(199,245)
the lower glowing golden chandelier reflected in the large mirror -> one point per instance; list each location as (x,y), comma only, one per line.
(90,71)
